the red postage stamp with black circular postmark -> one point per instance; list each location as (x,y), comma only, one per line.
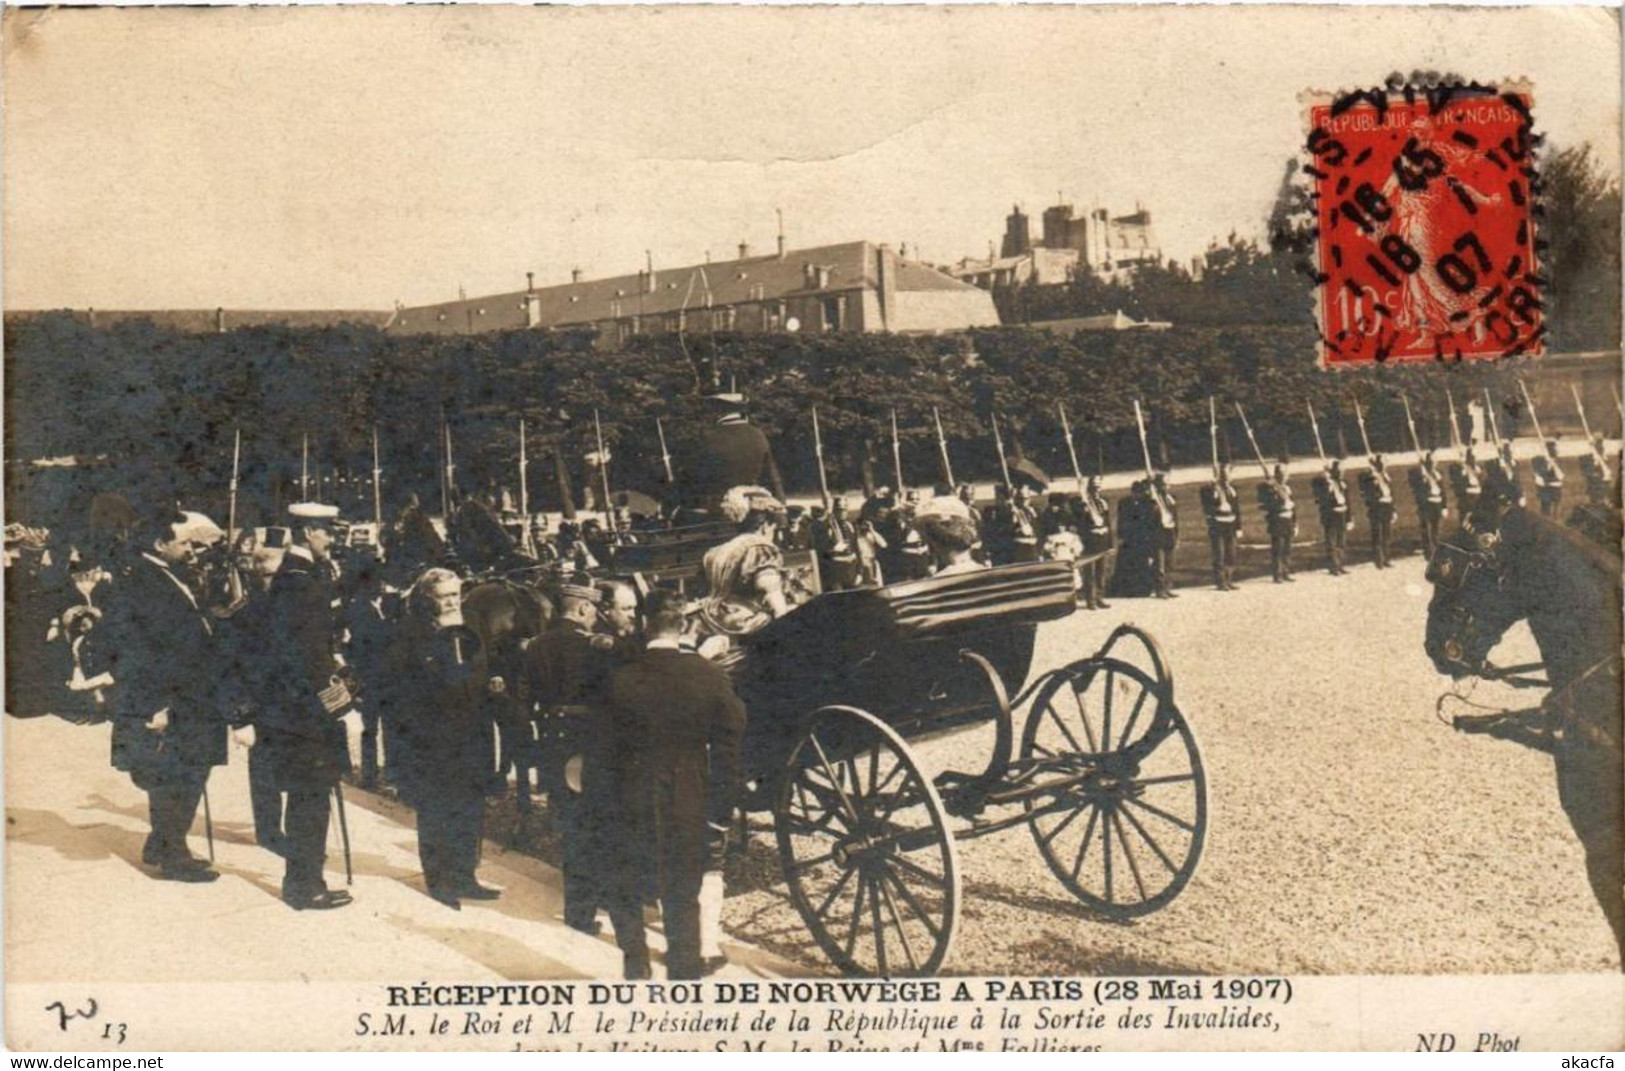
(1426,225)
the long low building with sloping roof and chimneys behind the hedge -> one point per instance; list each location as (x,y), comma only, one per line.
(852,287)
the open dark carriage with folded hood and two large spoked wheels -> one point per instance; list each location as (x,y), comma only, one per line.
(841,693)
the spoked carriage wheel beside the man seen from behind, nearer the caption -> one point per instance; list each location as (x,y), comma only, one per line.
(865,848)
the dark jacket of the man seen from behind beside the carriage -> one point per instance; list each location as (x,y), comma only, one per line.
(678,731)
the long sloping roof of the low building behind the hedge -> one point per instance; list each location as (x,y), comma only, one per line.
(851,266)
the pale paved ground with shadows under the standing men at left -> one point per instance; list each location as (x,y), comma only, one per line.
(80,906)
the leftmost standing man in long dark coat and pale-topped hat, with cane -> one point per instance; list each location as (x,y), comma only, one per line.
(171,726)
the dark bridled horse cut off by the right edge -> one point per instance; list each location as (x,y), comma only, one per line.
(1509,565)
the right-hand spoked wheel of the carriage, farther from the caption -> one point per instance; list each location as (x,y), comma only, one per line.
(1125,826)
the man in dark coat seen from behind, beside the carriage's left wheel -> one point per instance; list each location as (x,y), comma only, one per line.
(678,729)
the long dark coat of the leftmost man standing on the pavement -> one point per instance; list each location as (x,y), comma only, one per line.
(162,654)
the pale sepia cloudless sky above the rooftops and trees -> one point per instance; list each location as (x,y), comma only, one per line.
(349,158)
